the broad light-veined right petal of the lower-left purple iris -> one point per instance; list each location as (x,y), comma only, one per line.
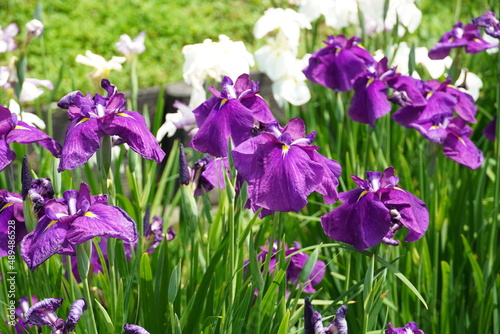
(102,221)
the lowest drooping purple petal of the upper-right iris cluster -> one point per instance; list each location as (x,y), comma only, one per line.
(463,151)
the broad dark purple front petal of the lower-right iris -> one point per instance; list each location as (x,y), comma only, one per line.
(362,221)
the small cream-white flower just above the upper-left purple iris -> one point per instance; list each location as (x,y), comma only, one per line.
(101,66)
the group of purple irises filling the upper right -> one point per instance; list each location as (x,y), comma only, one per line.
(438,110)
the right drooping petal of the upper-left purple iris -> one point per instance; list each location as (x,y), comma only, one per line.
(131,127)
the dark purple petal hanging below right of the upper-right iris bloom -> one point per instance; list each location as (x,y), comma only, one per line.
(369,101)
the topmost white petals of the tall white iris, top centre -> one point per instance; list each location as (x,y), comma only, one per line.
(288,21)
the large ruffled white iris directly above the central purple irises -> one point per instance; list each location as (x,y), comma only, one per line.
(213,60)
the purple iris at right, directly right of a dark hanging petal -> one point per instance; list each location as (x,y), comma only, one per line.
(435,98)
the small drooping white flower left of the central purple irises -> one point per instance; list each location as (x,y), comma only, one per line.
(182,119)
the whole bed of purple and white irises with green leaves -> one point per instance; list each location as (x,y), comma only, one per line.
(368,202)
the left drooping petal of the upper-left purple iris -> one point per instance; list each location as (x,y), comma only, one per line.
(81,142)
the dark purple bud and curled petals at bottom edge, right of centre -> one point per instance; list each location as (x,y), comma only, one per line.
(313,323)
